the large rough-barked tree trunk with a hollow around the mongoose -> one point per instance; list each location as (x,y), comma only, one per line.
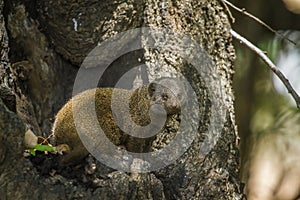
(49,40)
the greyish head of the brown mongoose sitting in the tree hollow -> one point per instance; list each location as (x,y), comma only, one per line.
(168,92)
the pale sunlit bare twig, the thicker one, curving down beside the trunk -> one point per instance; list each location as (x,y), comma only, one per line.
(272,66)
